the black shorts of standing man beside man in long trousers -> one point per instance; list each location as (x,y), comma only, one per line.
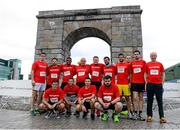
(138,87)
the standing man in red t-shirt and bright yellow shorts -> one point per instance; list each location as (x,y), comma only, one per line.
(123,72)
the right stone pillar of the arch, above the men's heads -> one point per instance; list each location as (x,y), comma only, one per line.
(126,34)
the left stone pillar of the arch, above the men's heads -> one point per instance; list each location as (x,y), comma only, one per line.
(49,37)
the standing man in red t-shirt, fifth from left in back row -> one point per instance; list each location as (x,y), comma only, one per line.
(96,71)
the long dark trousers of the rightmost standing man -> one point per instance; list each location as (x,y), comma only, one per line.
(157,90)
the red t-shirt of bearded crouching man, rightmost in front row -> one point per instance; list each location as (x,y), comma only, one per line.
(108,94)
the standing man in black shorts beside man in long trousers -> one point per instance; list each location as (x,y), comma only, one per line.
(138,83)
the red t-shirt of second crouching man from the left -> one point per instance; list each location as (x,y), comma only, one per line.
(71,90)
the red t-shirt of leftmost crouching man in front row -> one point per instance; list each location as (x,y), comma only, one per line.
(53,96)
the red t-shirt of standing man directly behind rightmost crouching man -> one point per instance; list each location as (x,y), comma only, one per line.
(111,71)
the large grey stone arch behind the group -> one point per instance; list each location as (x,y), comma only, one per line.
(59,30)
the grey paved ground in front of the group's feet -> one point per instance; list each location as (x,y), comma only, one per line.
(10,119)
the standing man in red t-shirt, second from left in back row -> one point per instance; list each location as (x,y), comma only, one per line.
(53,72)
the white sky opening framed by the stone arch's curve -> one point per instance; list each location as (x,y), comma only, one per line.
(89,47)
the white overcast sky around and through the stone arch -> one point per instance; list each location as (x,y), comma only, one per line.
(18,27)
